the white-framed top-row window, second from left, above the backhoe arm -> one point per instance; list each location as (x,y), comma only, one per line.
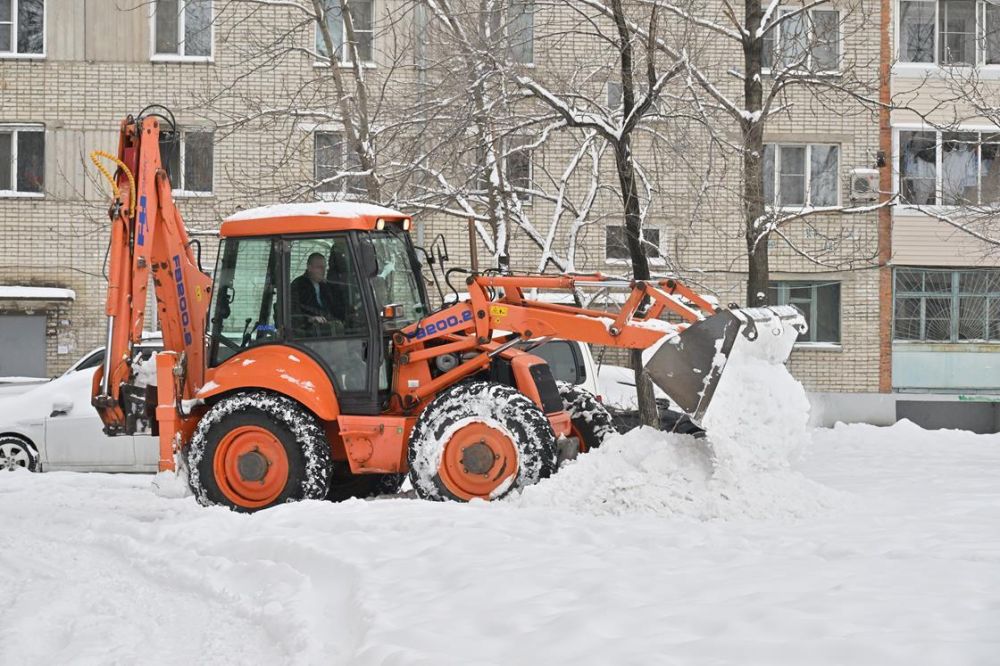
(183,28)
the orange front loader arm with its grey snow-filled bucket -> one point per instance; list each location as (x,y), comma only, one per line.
(685,358)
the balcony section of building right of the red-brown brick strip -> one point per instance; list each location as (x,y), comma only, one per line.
(945,143)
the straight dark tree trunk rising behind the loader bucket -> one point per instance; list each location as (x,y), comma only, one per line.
(752,127)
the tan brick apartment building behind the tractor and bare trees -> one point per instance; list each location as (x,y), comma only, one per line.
(69,71)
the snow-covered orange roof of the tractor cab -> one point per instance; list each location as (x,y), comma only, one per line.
(314,217)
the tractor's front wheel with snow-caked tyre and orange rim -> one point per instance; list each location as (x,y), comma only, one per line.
(480,440)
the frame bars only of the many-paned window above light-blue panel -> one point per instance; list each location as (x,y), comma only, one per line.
(954,295)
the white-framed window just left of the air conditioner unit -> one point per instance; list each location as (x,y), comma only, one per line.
(801,175)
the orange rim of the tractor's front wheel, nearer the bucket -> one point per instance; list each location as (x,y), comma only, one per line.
(476,461)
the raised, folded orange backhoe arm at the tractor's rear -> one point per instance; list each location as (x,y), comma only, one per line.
(148,239)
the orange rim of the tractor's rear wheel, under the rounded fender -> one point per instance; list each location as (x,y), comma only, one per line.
(251,466)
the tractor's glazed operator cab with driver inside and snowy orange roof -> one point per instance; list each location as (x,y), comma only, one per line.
(318,278)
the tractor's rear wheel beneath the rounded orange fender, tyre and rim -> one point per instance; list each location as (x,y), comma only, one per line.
(256,449)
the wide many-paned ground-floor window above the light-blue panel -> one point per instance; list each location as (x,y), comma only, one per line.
(947,305)
